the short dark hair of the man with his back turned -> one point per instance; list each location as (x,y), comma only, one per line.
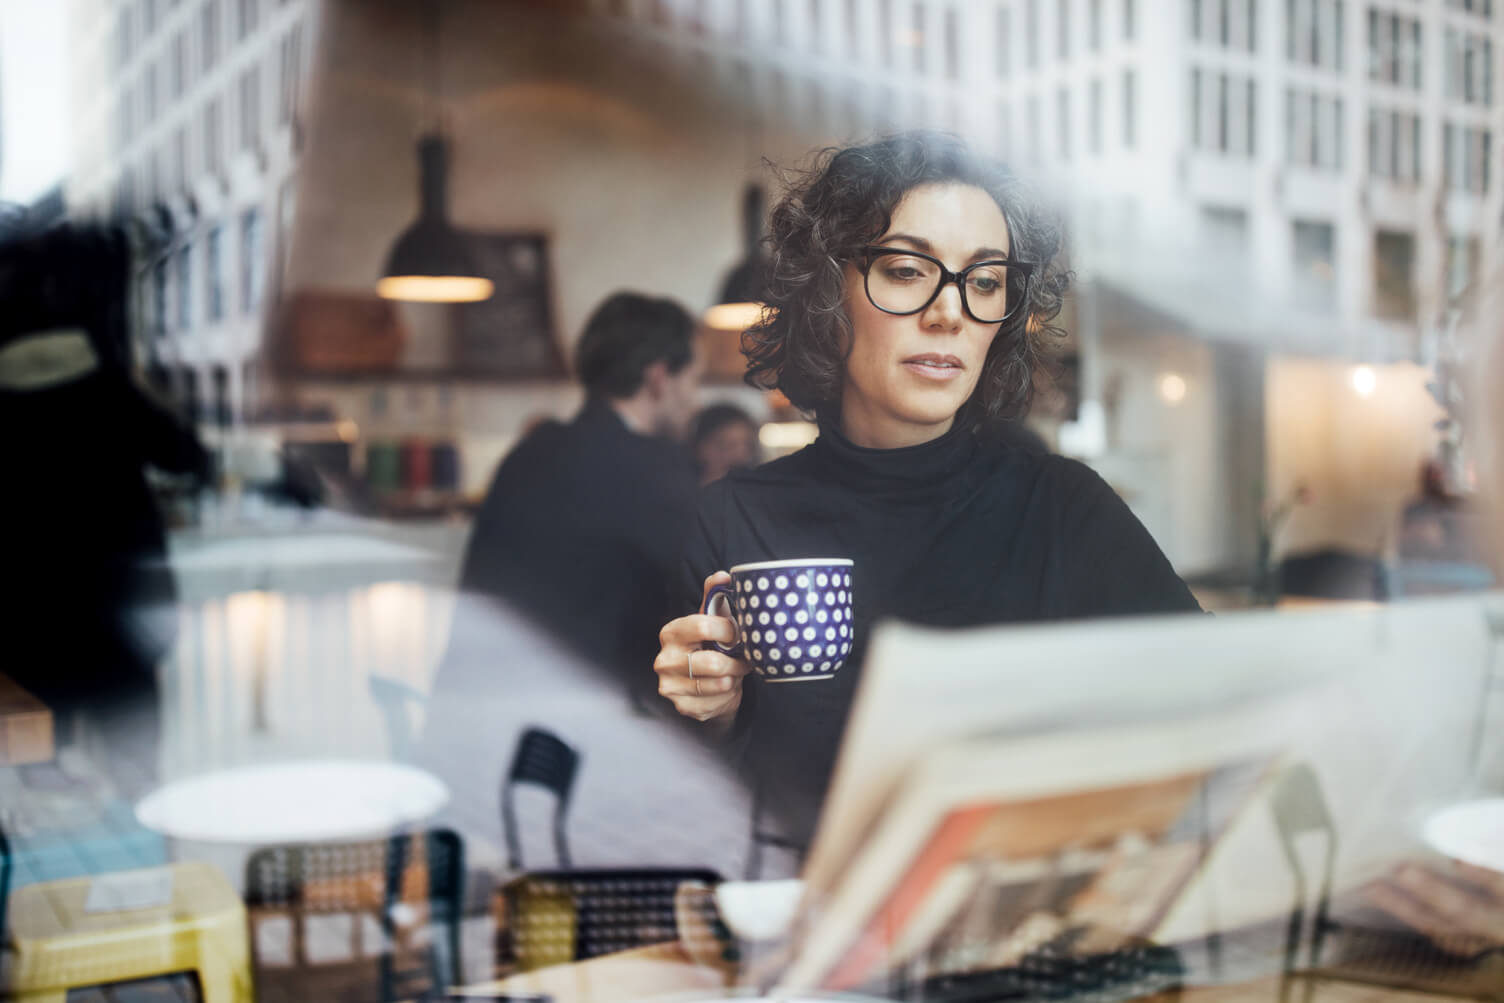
(625,336)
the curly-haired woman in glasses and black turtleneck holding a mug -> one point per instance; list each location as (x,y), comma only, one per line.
(914,285)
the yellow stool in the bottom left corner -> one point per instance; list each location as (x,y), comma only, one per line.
(163,921)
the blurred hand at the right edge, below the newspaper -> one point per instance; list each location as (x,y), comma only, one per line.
(1458,906)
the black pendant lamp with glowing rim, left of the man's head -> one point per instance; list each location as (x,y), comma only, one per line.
(432,261)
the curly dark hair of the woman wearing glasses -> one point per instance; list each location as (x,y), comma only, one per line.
(843,204)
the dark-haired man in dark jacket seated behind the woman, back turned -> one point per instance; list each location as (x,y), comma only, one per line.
(583,521)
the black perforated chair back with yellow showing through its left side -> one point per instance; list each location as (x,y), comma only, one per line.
(551,918)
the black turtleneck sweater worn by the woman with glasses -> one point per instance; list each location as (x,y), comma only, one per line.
(954,533)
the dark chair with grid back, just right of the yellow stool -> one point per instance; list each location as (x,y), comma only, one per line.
(381,880)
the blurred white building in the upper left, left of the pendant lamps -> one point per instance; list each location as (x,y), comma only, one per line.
(187,117)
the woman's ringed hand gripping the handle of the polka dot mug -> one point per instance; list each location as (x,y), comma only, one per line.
(715,691)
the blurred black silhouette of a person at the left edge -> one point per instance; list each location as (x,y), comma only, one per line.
(92,607)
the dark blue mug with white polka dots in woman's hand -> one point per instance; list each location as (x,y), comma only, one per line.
(793,617)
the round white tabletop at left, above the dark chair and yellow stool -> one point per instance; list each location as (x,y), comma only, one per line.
(314,801)
